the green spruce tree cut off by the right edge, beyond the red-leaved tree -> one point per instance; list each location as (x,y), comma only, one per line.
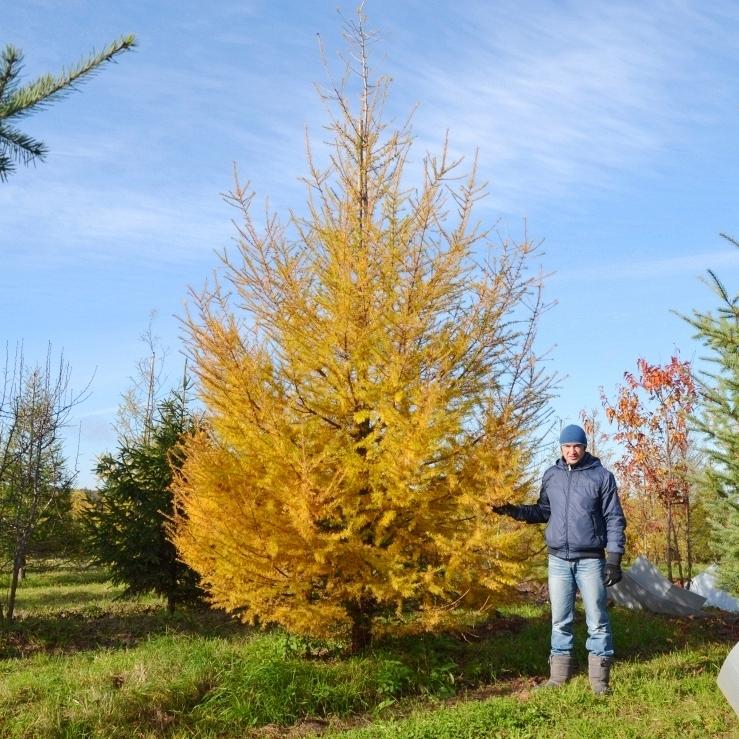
(719,421)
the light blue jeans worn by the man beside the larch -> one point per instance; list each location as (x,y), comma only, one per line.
(565,578)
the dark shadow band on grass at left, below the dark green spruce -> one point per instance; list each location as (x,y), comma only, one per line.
(95,627)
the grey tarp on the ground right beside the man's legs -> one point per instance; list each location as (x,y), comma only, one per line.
(644,587)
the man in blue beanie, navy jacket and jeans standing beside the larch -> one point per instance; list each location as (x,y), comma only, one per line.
(585,537)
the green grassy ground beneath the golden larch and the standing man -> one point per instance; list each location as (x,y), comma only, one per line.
(80,663)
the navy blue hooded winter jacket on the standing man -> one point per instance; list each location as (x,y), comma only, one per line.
(581,506)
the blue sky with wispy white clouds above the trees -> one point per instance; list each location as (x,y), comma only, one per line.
(611,129)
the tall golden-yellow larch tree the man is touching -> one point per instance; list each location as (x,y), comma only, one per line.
(371,389)
